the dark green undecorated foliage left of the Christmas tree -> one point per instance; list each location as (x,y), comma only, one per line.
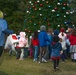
(14,13)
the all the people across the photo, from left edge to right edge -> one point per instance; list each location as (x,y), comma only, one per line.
(44,45)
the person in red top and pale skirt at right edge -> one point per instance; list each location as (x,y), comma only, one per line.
(72,39)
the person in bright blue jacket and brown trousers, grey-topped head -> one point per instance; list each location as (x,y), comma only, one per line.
(43,38)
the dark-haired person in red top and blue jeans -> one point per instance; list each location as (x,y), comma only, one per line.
(35,43)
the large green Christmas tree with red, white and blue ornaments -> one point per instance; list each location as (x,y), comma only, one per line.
(51,13)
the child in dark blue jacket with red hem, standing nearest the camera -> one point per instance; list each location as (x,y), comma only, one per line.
(56,50)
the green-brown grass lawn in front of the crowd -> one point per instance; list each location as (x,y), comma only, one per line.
(10,66)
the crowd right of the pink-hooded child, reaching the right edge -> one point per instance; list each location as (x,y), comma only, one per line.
(54,45)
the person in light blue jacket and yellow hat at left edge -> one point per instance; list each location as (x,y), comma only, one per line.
(3,31)
